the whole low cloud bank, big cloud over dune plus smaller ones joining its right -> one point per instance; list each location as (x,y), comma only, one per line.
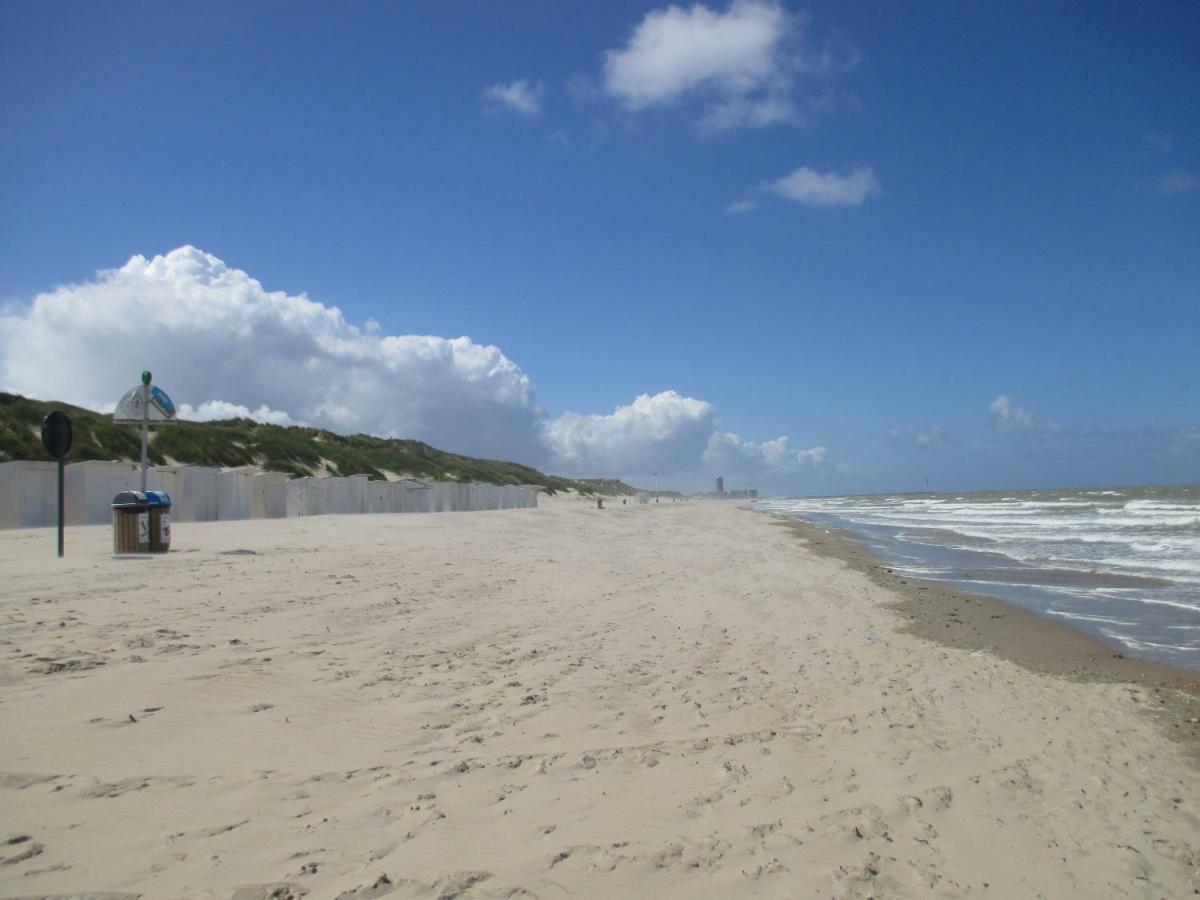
(226,347)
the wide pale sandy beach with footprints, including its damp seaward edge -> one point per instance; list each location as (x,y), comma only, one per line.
(675,700)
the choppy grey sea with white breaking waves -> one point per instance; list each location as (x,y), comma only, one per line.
(1121,563)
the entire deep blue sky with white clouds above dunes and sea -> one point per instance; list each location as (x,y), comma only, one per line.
(817,249)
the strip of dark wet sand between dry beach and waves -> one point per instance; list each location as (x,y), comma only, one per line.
(970,621)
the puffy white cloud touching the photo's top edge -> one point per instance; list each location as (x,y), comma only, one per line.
(743,64)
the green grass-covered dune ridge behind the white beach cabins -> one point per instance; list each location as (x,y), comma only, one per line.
(241,442)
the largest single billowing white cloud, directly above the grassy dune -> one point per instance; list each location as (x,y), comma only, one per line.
(220,343)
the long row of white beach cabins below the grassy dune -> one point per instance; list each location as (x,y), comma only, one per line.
(200,494)
